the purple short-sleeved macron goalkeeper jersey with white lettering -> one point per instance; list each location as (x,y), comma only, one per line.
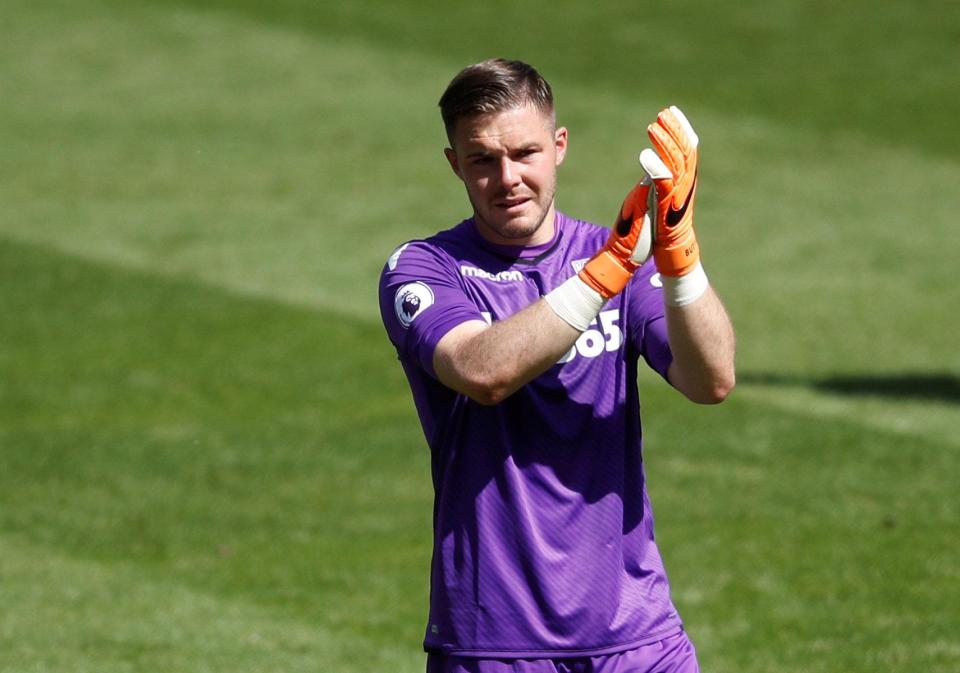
(543,532)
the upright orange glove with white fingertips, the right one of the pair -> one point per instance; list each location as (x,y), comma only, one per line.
(673,169)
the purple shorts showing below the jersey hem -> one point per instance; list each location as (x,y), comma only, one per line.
(674,654)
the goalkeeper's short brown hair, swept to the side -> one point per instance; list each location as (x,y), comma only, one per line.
(493,86)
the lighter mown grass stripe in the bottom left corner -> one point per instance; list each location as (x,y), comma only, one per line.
(62,613)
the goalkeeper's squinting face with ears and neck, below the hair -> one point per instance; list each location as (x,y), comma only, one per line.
(508,162)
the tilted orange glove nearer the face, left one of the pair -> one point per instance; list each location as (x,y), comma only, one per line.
(628,246)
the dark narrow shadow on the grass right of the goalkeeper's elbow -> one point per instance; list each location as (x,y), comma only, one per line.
(934,387)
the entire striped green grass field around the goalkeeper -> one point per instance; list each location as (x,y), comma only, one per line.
(209,460)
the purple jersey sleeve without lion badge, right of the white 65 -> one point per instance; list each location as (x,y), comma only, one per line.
(647,319)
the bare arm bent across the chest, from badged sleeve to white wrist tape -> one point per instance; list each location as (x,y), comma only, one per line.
(488,363)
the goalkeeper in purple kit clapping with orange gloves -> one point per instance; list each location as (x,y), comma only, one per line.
(520,331)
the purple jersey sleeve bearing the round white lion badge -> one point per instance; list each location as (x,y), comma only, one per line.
(421,299)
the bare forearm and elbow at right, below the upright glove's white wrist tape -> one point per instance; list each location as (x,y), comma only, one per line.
(702,342)
